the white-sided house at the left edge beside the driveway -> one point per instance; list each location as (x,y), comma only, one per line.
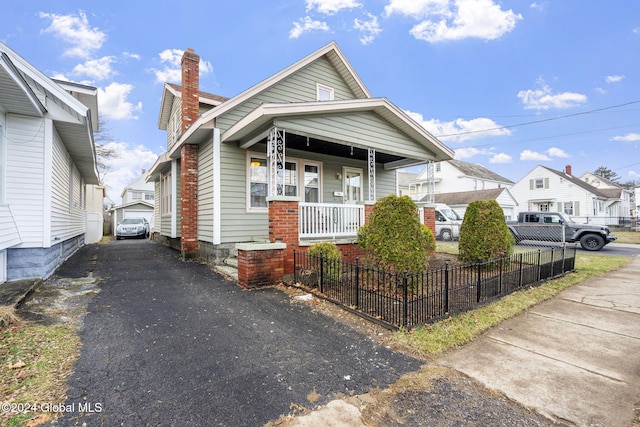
(47,157)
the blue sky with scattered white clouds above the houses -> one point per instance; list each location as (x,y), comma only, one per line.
(506,84)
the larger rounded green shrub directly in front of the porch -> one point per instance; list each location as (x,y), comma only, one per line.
(394,237)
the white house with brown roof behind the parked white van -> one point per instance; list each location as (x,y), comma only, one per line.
(452,176)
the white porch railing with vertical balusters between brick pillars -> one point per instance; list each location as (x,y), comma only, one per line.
(329,221)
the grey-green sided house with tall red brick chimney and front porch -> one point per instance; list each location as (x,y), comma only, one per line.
(311,133)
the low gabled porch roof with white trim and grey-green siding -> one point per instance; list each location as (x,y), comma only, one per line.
(344,129)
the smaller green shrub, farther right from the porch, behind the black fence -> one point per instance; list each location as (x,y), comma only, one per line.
(484,233)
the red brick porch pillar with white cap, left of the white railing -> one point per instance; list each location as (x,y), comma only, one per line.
(283,226)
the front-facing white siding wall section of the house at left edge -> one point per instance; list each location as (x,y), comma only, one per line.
(25,176)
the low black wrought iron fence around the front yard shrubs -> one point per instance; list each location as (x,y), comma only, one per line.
(408,300)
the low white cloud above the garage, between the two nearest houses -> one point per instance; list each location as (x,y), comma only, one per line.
(125,167)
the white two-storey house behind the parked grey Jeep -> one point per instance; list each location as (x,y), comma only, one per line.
(544,189)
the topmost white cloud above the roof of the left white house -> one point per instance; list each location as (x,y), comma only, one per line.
(75,30)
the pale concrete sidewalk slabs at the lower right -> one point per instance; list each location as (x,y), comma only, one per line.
(574,359)
